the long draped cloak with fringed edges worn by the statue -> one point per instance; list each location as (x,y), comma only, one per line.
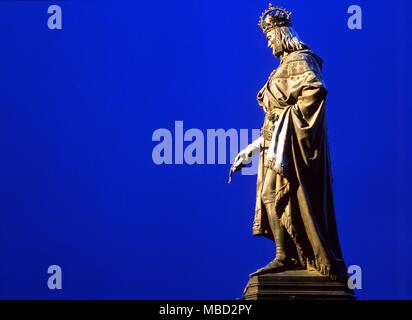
(296,148)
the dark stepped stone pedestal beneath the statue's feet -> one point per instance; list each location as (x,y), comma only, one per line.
(296,285)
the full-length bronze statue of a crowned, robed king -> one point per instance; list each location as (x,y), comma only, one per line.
(294,203)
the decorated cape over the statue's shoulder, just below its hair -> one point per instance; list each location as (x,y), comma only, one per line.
(301,61)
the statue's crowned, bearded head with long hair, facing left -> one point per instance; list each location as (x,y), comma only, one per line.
(276,24)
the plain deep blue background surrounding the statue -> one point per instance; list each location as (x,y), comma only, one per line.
(78,109)
